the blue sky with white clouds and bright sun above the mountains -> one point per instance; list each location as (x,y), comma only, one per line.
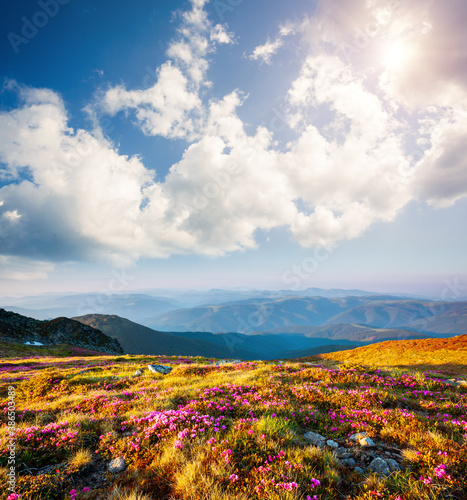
(233,143)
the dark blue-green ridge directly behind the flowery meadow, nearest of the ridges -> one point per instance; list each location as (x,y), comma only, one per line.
(138,339)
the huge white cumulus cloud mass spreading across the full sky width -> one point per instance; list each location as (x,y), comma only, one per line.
(369,136)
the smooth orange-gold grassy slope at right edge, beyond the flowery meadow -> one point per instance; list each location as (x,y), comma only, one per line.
(450,353)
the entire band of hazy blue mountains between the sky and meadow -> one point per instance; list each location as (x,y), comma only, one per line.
(249,324)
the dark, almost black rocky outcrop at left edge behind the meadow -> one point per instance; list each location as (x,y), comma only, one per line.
(17,328)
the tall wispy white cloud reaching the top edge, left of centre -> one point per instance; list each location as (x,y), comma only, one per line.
(171,108)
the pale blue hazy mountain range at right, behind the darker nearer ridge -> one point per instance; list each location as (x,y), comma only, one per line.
(264,314)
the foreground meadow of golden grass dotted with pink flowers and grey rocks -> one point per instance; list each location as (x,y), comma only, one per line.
(231,432)
